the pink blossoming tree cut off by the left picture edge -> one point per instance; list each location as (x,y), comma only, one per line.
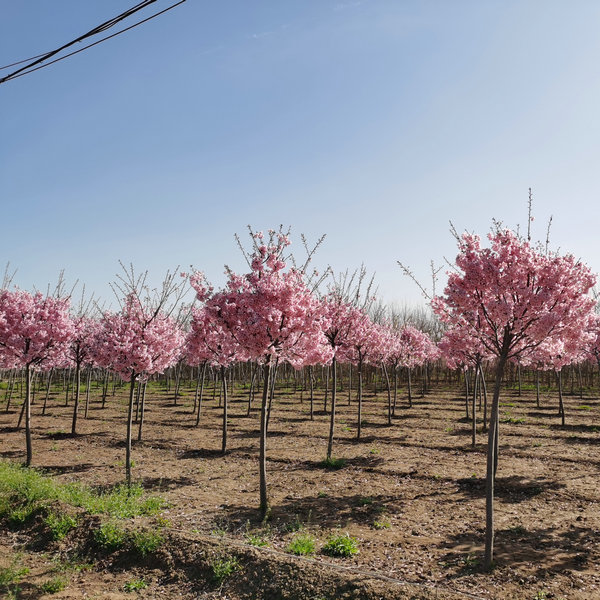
(34,331)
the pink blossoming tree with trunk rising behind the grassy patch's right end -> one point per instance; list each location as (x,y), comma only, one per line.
(138,341)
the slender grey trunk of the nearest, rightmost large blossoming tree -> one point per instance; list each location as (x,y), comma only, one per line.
(492,457)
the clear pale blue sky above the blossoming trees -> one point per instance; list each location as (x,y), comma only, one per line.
(374,122)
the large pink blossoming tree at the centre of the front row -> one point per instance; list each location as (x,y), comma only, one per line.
(272,315)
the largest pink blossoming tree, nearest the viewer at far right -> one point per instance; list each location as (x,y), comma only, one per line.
(511,298)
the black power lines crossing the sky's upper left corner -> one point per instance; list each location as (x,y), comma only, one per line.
(36,60)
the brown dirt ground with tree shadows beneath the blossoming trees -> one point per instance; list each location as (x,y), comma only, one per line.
(412,494)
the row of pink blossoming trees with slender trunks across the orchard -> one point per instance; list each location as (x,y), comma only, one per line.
(510,301)
